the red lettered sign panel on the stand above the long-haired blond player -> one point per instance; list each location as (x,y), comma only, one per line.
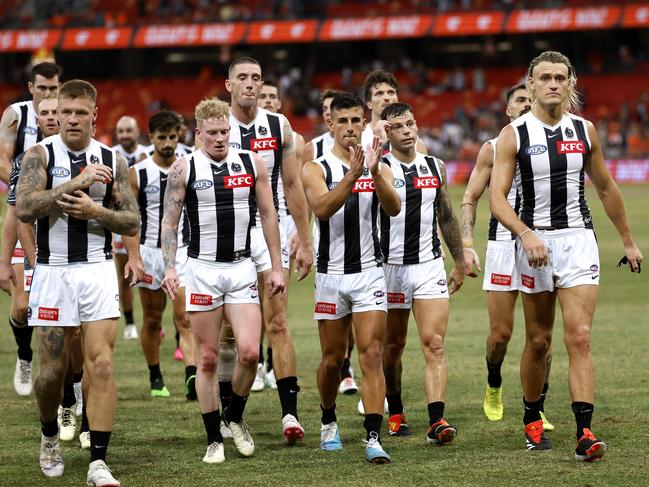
(586,18)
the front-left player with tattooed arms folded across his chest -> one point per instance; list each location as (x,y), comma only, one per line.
(77,191)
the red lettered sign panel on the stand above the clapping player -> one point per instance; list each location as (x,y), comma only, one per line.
(376,28)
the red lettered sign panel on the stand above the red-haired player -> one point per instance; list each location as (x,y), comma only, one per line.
(189,35)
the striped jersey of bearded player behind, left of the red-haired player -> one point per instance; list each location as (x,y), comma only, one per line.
(152,182)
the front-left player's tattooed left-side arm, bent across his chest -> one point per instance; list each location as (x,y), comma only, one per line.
(33,201)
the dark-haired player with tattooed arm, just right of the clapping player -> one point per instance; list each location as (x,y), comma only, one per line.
(414,270)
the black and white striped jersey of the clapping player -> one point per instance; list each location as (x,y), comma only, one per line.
(349,241)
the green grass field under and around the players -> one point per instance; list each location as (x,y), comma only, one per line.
(161,441)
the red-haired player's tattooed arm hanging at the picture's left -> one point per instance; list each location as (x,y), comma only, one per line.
(173,205)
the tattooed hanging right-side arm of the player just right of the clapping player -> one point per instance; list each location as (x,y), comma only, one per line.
(451,232)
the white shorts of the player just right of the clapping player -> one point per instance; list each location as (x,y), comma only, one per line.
(417,281)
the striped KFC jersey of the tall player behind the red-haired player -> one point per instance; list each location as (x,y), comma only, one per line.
(265,136)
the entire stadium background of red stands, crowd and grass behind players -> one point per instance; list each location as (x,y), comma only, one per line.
(453,60)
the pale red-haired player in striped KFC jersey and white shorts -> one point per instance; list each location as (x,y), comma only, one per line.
(221,189)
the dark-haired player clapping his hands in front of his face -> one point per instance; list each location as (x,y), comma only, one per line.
(345,189)
